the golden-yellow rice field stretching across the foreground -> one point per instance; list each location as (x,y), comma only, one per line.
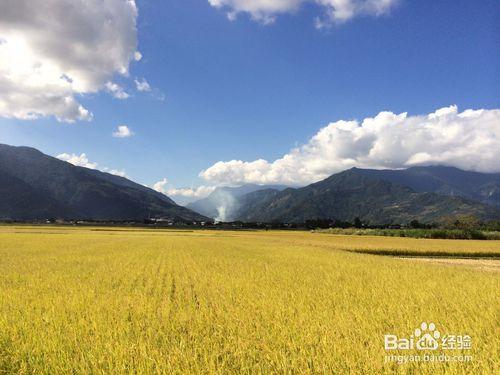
(92,300)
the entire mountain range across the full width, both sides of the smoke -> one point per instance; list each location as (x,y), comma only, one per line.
(36,186)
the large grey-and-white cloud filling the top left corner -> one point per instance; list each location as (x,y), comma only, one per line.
(54,51)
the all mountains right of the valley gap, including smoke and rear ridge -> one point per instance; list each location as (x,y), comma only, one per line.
(427,194)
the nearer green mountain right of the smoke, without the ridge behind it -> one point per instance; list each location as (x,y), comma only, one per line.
(365,194)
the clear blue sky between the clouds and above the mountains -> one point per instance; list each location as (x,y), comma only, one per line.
(246,90)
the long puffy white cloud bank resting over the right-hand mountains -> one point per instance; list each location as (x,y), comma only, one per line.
(468,140)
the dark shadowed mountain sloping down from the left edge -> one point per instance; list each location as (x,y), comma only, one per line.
(37,186)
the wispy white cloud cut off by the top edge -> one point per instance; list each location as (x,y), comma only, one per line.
(265,11)
